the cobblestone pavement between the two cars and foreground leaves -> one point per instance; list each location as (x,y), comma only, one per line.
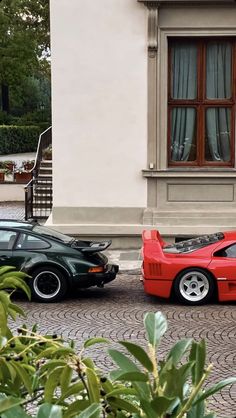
(117,312)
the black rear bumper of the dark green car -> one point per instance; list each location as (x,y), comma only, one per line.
(97,279)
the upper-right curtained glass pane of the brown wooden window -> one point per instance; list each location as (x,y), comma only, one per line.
(218,70)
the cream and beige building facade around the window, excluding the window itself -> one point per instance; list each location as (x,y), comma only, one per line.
(110,121)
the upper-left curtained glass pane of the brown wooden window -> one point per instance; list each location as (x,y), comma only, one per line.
(184,70)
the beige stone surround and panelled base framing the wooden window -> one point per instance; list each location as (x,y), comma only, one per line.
(185,200)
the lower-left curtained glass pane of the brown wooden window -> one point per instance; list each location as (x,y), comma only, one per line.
(183,134)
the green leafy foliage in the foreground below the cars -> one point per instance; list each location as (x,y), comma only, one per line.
(46,372)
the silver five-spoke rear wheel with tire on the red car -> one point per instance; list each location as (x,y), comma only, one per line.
(194,286)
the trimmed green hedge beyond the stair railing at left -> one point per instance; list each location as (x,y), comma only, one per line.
(16,139)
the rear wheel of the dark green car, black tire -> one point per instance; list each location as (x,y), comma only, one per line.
(48,285)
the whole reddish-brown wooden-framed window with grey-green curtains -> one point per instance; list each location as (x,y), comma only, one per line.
(201,102)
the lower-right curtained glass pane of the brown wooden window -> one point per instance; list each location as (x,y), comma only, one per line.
(218,131)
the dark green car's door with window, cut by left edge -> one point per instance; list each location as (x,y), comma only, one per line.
(7,240)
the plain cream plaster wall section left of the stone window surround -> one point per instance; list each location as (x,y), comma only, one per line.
(99,68)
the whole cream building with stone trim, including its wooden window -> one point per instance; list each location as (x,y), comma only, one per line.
(143,117)
